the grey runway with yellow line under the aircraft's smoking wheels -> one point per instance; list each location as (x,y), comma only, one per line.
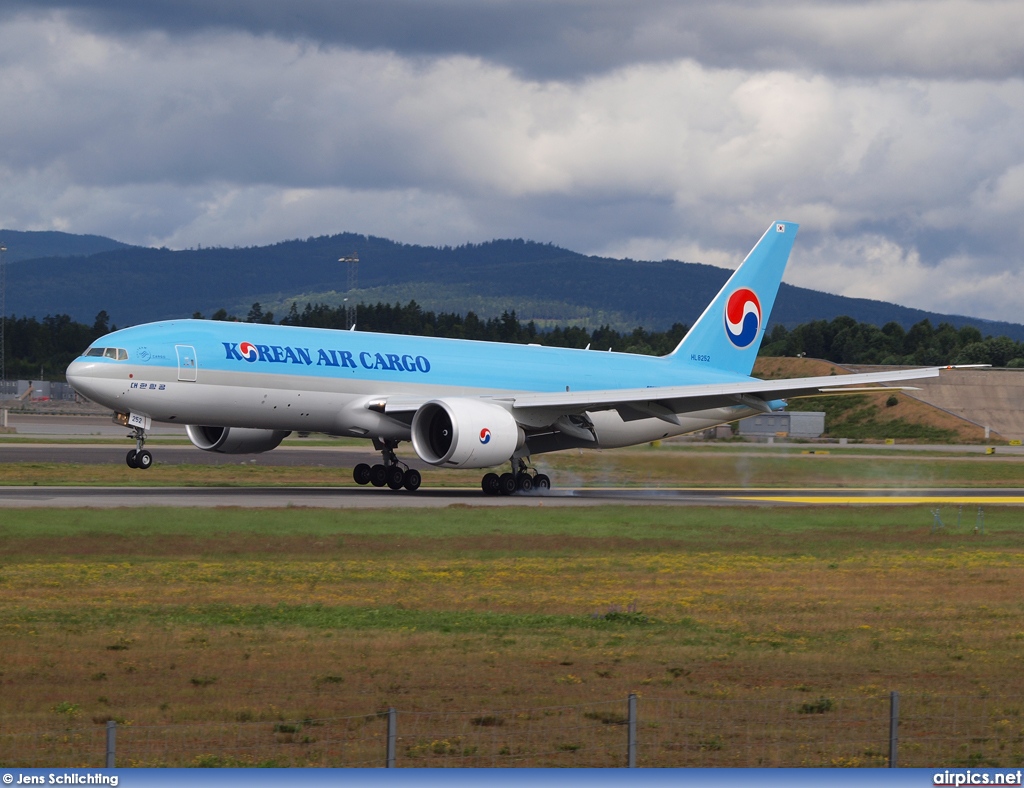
(364,498)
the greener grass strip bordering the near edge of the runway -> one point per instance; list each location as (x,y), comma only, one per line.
(713,524)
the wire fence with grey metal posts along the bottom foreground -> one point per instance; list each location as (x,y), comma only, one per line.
(917,730)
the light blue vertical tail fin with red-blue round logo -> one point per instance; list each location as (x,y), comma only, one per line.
(729,335)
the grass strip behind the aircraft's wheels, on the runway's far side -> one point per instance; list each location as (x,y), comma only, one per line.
(668,466)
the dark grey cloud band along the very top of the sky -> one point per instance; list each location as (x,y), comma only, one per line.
(576,38)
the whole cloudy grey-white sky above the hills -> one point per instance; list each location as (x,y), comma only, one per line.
(892,132)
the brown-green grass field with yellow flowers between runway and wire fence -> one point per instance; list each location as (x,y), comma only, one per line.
(174,617)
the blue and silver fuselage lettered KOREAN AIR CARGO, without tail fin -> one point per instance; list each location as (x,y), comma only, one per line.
(288,378)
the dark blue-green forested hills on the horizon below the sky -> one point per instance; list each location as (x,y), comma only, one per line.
(541,283)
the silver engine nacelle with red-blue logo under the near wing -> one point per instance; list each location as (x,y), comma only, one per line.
(465,433)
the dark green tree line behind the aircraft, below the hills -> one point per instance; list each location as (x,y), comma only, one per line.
(37,348)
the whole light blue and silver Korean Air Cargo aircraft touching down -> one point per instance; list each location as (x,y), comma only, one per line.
(242,388)
